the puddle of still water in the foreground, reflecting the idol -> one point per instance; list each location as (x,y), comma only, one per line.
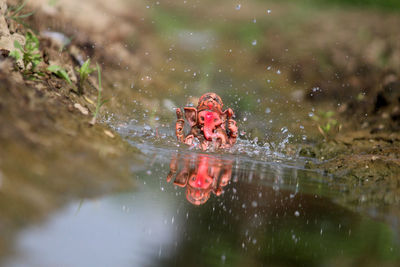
(212,209)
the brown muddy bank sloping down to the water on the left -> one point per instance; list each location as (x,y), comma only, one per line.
(50,153)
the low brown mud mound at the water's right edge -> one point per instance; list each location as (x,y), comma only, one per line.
(367,164)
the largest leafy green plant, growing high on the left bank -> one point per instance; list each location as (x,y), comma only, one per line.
(29,53)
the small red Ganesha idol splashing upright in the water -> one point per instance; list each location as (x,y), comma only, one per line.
(208,124)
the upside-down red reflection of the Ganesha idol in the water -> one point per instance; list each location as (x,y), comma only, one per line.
(201,174)
